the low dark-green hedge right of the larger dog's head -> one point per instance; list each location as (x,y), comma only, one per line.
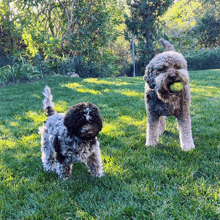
(204,59)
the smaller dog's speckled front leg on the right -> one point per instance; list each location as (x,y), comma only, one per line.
(94,162)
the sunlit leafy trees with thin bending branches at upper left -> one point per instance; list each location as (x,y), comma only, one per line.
(82,29)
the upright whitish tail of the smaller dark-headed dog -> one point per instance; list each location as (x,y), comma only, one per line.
(48,104)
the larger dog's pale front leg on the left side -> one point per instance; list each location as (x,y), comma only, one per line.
(152,130)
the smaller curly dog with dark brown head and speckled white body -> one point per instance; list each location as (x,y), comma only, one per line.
(71,137)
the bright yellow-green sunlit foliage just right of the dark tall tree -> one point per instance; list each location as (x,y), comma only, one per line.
(178,22)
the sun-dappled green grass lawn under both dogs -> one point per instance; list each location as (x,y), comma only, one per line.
(161,182)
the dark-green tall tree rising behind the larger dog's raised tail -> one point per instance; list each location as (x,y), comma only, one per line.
(144,25)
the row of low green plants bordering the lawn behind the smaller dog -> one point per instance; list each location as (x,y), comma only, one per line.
(23,68)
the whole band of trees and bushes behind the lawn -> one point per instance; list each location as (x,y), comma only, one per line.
(93,38)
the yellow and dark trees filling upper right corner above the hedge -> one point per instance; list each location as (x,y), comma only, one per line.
(192,25)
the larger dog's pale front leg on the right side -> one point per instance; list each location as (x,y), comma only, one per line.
(185,132)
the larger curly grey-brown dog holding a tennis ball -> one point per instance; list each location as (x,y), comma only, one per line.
(163,70)
